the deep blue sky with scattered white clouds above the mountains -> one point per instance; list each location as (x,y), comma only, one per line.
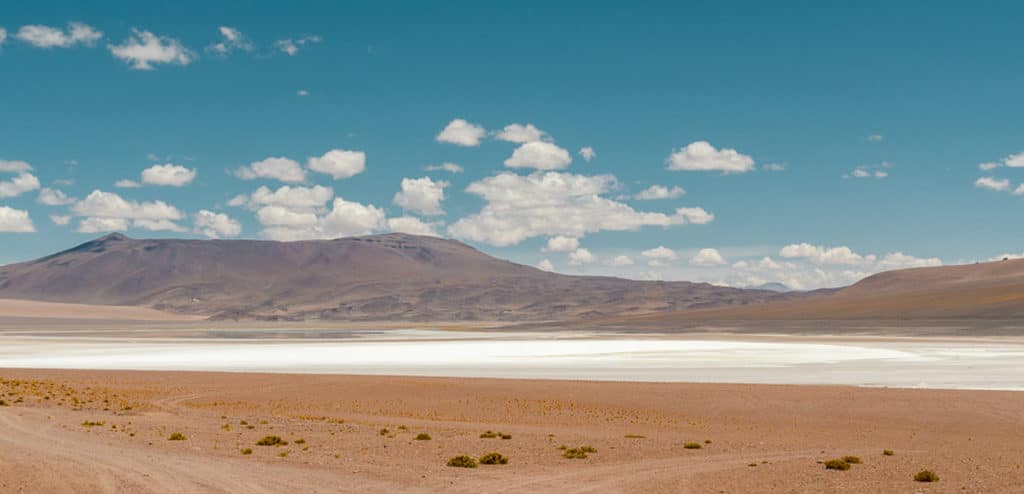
(810,144)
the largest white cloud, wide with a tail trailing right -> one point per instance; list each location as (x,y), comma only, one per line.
(549,204)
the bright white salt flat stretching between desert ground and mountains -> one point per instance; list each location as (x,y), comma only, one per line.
(560,356)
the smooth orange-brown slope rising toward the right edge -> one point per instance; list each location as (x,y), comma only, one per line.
(979,293)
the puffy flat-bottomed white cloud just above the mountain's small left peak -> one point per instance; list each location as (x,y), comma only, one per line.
(106,212)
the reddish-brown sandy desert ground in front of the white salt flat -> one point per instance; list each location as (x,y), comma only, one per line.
(754,438)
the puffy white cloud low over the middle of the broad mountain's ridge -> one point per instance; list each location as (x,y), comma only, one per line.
(344,220)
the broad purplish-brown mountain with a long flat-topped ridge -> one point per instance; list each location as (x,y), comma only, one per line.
(386,277)
